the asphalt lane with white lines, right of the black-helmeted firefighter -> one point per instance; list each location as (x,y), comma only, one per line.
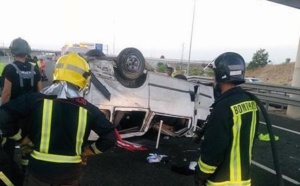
(288,146)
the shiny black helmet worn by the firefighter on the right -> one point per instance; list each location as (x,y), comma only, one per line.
(229,67)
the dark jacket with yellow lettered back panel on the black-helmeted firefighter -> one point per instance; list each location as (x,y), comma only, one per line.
(228,139)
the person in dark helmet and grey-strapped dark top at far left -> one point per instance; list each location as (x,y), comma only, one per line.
(20,77)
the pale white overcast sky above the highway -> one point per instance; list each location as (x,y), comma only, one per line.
(157,27)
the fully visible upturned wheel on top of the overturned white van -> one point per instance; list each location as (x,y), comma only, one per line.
(130,63)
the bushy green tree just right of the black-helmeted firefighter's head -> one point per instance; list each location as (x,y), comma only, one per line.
(259,59)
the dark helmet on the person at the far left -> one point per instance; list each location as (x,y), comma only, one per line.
(19,47)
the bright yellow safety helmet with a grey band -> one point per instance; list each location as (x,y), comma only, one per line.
(73,69)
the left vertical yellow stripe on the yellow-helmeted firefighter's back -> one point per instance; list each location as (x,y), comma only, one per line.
(46,126)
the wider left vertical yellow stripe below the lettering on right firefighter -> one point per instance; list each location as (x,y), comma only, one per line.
(235,156)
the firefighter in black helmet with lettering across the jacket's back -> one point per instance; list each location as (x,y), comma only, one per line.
(226,149)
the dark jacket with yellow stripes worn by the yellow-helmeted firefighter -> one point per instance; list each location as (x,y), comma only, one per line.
(59,130)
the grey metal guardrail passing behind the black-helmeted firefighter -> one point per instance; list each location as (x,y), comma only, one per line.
(270,94)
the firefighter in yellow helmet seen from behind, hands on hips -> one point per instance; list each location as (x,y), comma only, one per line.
(60,123)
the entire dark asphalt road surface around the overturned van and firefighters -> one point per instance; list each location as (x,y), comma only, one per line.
(119,167)
